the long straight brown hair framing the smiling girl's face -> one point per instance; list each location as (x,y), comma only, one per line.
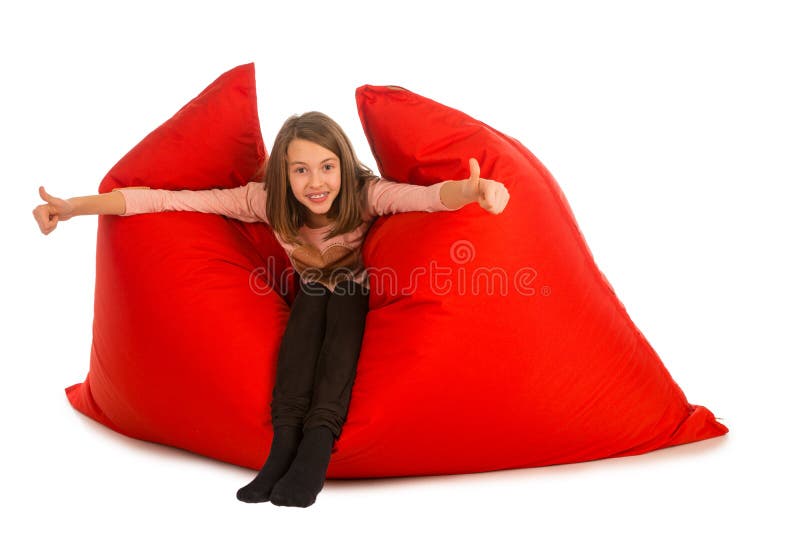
(284,212)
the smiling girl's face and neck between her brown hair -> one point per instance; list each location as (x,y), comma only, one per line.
(314,178)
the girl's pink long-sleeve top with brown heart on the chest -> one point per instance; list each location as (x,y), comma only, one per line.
(317,259)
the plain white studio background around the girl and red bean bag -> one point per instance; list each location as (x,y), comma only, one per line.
(672,128)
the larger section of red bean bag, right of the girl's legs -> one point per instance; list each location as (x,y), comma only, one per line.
(512,350)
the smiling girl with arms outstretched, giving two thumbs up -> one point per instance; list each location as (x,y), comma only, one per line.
(321,224)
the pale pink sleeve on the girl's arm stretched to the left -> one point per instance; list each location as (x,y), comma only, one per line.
(247,203)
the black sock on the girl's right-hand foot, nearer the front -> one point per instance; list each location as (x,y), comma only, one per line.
(306,476)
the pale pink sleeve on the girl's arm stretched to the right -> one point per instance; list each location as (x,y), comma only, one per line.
(387,196)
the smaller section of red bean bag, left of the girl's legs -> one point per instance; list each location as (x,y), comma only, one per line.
(183,350)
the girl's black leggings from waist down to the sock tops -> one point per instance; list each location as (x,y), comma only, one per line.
(318,356)
